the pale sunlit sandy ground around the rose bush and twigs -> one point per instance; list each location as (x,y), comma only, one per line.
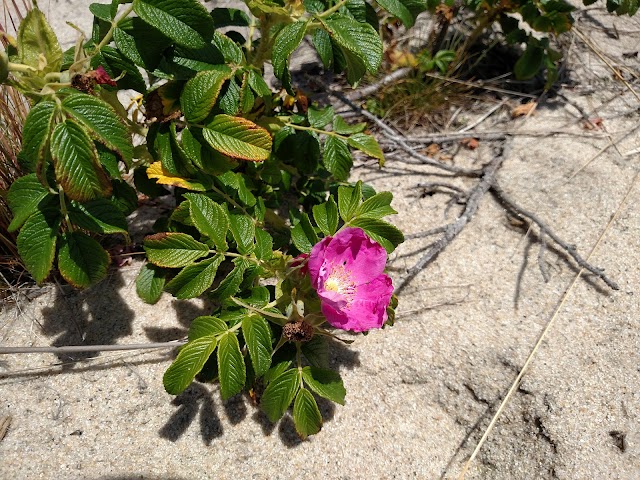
(420,394)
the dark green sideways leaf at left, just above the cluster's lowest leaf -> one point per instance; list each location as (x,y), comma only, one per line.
(98,216)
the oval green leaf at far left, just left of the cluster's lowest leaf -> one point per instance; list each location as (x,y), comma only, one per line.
(37,242)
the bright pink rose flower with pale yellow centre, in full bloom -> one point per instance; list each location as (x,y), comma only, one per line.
(346,271)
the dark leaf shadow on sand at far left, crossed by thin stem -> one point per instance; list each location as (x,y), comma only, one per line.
(96,316)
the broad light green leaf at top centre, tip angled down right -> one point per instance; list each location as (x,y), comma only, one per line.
(358,38)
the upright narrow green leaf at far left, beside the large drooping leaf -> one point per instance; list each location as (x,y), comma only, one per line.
(36,131)
